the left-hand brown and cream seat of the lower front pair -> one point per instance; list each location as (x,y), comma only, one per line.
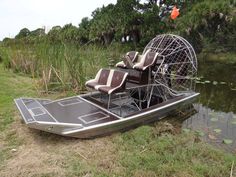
(100,79)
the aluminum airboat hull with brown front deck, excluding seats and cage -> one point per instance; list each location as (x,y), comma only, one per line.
(41,115)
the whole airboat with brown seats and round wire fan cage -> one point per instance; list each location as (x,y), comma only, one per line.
(142,88)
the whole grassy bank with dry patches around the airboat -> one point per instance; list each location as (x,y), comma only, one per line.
(149,150)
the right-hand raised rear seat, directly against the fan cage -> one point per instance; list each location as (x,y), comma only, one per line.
(147,60)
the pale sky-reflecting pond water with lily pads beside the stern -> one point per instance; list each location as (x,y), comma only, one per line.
(214,126)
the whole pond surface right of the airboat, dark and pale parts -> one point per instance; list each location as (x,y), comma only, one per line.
(215,120)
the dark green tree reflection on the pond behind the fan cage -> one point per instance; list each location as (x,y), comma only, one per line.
(219,94)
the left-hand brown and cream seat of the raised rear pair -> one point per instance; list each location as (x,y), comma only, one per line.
(128,60)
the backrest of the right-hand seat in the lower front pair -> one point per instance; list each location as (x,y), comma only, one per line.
(118,78)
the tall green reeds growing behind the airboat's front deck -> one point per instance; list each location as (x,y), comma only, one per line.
(60,66)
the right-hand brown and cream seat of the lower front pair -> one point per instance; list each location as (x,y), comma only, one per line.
(116,82)
